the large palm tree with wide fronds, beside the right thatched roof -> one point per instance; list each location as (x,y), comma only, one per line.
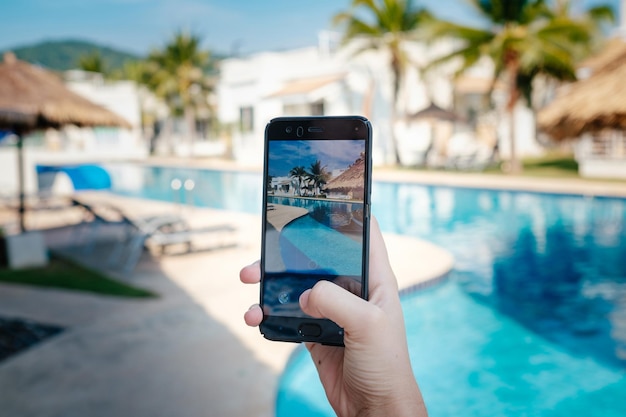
(524,38)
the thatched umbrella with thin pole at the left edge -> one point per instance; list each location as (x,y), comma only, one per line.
(32,98)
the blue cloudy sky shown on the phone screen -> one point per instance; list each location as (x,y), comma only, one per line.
(335,154)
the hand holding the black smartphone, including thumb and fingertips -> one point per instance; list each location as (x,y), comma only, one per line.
(372,375)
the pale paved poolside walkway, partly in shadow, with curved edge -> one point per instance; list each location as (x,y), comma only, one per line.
(187,353)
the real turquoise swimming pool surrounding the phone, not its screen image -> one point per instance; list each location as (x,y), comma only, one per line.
(532,320)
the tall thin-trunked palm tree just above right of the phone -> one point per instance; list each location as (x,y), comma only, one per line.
(384,25)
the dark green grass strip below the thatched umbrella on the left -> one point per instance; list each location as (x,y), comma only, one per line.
(61,273)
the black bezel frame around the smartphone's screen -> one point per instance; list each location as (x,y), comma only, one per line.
(284,328)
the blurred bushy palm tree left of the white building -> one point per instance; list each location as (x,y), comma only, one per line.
(177,76)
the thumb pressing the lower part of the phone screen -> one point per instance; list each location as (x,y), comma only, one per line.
(330,301)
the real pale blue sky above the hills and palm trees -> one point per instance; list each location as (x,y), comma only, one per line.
(235,27)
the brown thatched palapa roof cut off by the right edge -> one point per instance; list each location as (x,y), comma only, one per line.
(593,104)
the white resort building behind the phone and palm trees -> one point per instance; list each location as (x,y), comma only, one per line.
(325,80)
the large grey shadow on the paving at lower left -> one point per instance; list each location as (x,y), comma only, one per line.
(118,357)
